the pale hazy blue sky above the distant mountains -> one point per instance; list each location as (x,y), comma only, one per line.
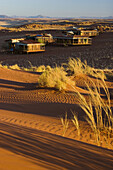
(57,8)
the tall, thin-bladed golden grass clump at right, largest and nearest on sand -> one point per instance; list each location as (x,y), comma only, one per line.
(98,112)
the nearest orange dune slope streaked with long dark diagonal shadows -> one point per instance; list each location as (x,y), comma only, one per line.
(36,149)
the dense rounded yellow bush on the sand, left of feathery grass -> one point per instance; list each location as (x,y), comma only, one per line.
(55,78)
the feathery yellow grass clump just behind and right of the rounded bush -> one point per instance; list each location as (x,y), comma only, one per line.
(76,67)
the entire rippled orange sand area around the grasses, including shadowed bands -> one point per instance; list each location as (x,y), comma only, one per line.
(31,130)
